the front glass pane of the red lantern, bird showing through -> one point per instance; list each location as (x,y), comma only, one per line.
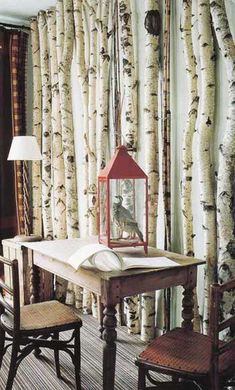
(127,210)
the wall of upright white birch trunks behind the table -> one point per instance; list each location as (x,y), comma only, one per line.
(95,33)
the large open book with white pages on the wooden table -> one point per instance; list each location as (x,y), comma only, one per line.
(106,259)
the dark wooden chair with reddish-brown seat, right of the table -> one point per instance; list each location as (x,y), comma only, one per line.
(182,353)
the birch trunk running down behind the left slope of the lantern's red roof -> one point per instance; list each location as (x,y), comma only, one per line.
(103,87)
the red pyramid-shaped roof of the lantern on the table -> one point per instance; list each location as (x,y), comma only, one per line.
(122,166)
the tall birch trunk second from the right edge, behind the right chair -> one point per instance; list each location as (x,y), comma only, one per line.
(205,129)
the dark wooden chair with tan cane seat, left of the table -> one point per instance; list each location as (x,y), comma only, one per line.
(34,326)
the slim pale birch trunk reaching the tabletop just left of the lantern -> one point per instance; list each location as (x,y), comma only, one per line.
(92,114)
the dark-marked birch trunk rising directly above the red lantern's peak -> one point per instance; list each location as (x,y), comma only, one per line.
(129,128)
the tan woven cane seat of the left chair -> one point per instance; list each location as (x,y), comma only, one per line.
(42,316)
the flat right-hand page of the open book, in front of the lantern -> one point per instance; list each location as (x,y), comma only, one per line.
(148,262)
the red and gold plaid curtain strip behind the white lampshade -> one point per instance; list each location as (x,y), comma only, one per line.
(18,52)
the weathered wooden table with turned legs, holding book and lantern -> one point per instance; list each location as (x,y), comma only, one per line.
(112,286)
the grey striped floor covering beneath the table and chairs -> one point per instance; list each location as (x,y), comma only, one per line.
(39,374)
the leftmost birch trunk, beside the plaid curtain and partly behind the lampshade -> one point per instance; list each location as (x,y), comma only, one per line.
(37,129)
